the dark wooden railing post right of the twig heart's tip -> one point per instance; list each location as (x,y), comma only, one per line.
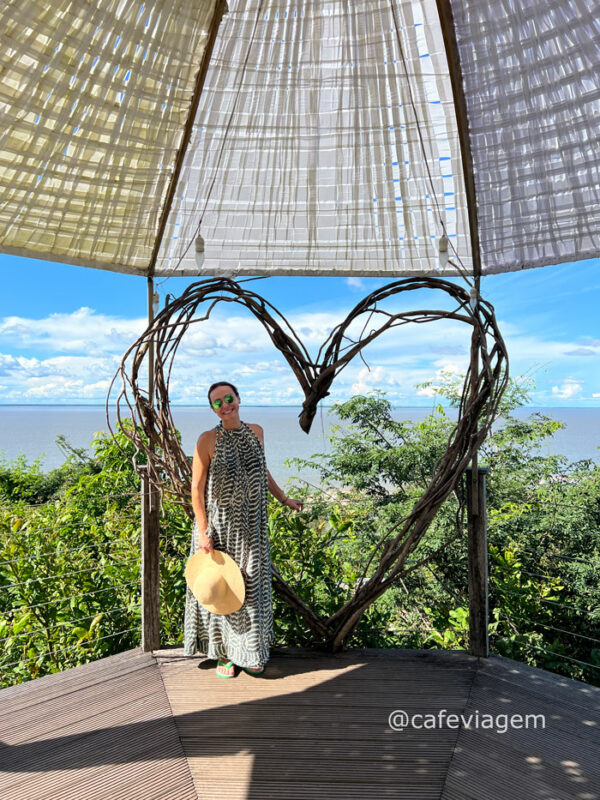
(478,562)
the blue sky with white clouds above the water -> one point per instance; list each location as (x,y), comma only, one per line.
(63,330)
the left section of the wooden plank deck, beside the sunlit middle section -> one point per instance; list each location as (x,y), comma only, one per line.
(103,730)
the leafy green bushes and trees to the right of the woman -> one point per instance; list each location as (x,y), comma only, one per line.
(543,520)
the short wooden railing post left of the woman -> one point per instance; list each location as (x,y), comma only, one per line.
(150,565)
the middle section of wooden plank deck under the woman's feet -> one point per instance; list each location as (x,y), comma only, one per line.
(317,725)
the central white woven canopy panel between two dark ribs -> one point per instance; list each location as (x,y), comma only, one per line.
(326,143)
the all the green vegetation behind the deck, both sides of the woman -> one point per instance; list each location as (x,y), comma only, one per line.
(70,560)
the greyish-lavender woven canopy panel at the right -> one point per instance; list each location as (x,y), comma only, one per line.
(532,85)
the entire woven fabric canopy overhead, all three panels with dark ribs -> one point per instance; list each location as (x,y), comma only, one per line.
(322,137)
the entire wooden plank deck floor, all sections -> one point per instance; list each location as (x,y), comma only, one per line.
(162,725)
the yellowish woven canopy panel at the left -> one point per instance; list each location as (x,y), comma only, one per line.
(93,100)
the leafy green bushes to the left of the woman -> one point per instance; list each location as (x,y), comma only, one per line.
(70,568)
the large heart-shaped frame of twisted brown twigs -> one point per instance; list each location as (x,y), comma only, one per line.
(483,388)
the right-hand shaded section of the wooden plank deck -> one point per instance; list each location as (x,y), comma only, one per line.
(561,762)
